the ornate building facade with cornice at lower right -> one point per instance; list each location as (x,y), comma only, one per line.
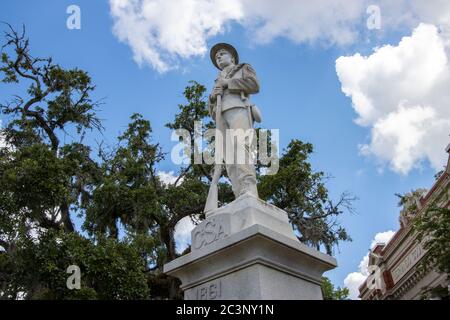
(394,267)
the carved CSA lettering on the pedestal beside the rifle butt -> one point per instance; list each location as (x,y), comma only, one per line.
(208,232)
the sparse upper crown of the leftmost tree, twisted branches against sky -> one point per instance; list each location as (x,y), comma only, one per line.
(56,97)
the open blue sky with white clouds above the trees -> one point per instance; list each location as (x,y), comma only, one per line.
(301,91)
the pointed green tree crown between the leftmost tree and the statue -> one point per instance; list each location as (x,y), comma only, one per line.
(128,187)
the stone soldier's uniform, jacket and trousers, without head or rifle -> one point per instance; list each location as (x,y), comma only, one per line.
(236,115)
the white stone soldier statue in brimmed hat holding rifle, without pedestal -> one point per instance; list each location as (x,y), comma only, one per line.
(230,106)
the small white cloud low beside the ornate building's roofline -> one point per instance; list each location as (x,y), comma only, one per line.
(355,279)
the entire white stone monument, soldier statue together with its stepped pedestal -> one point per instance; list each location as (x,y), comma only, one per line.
(246,249)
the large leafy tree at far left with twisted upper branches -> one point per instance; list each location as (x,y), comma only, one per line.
(43,179)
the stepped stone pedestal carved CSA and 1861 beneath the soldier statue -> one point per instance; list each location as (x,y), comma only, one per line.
(248,250)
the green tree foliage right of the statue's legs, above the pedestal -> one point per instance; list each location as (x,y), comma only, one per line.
(301,192)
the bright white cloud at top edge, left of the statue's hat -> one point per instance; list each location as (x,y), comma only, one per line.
(160,31)
